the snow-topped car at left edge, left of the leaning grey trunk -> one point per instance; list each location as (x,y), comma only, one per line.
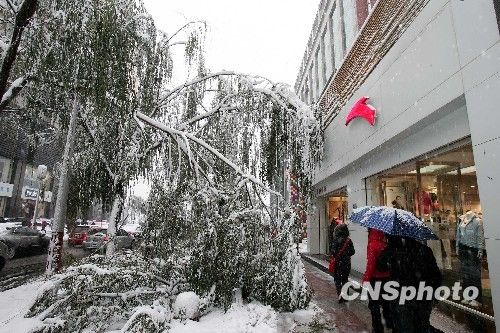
(19,238)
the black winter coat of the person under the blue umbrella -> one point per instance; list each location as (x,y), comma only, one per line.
(409,262)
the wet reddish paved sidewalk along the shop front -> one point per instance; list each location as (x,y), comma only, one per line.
(354,316)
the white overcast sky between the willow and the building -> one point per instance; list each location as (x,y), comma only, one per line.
(265,37)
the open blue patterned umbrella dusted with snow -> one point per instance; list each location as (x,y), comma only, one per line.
(392,221)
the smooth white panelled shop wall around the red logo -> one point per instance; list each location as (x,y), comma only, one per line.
(439,83)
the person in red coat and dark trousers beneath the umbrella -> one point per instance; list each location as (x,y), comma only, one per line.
(376,244)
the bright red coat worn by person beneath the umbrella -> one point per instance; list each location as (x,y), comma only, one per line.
(376,244)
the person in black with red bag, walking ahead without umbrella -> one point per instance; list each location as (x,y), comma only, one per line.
(342,249)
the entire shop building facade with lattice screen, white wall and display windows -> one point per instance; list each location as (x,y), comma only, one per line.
(432,72)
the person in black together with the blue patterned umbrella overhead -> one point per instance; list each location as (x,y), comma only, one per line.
(408,261)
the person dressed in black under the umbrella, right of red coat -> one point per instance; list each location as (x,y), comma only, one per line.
(410,262)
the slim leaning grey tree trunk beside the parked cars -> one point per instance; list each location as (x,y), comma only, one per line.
(54,258)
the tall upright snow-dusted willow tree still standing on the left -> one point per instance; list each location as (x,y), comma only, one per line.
(106,60)
